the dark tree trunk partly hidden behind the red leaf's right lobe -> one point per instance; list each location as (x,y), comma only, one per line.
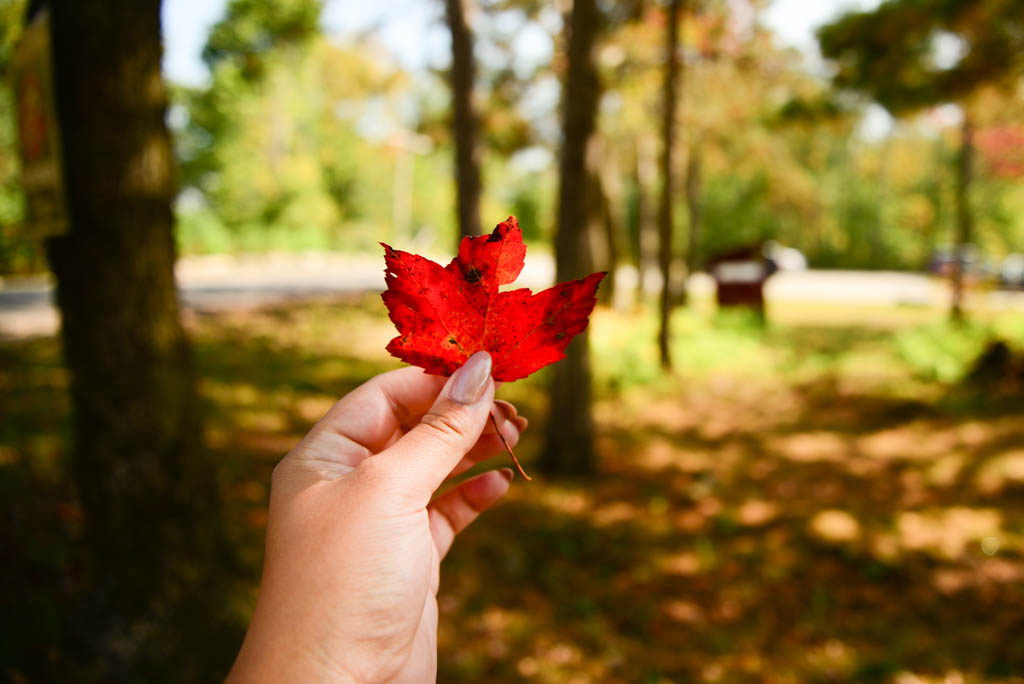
(570,439)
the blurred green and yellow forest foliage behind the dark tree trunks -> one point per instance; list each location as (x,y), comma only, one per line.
(304,142)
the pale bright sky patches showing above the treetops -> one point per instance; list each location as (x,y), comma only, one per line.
(412,28)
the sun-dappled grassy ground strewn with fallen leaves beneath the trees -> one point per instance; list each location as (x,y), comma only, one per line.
(822,500)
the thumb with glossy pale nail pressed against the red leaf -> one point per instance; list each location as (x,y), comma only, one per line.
(425,457)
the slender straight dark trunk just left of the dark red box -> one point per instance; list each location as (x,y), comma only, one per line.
(666,220)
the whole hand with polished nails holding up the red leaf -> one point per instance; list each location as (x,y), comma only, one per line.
(354,541)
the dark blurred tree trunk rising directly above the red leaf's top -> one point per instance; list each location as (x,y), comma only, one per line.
(467,159)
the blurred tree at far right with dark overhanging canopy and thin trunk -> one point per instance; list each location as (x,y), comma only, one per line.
(911,55)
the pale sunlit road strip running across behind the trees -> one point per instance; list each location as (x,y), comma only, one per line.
(220,283)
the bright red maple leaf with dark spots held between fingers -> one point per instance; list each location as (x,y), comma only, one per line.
(447,314)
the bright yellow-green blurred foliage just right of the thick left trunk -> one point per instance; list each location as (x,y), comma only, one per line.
(272,149)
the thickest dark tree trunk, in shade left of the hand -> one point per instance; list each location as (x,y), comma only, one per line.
(149,495)
